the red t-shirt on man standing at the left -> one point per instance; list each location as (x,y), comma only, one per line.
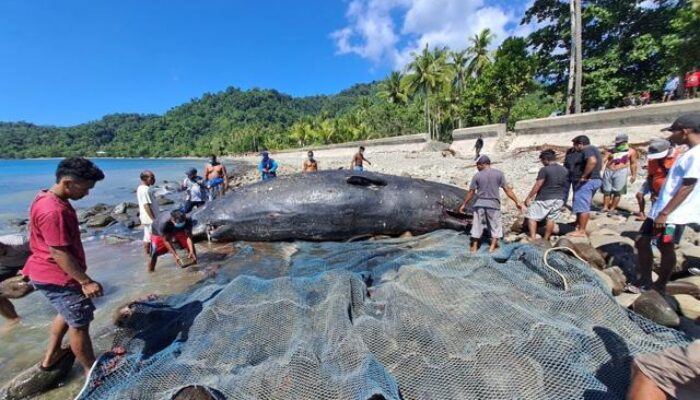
(52,223)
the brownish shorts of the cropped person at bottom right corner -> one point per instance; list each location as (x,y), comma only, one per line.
(675,370)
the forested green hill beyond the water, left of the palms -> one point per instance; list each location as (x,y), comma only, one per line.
(224,122)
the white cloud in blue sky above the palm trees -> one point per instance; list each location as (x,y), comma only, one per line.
(387,31)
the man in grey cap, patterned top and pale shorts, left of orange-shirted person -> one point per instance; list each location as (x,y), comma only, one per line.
(620,164)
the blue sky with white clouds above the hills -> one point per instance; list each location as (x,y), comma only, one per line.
(73,61)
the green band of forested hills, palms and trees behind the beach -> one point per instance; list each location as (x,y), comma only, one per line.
(627,48)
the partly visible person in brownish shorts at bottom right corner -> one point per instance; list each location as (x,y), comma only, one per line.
(670,373)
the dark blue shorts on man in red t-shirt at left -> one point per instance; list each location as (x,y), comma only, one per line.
(69,302)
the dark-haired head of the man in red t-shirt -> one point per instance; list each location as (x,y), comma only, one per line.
(75,176)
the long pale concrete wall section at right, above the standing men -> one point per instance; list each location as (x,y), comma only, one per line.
(640,123)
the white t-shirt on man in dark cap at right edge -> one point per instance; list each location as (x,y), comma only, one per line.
(686,166)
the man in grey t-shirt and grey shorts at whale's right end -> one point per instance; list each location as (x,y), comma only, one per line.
(487,207)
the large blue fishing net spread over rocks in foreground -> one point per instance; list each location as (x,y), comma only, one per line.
(417,318)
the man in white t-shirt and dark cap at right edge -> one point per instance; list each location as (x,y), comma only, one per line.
(676,206)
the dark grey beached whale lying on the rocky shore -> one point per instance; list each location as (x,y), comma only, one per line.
(332,205)
